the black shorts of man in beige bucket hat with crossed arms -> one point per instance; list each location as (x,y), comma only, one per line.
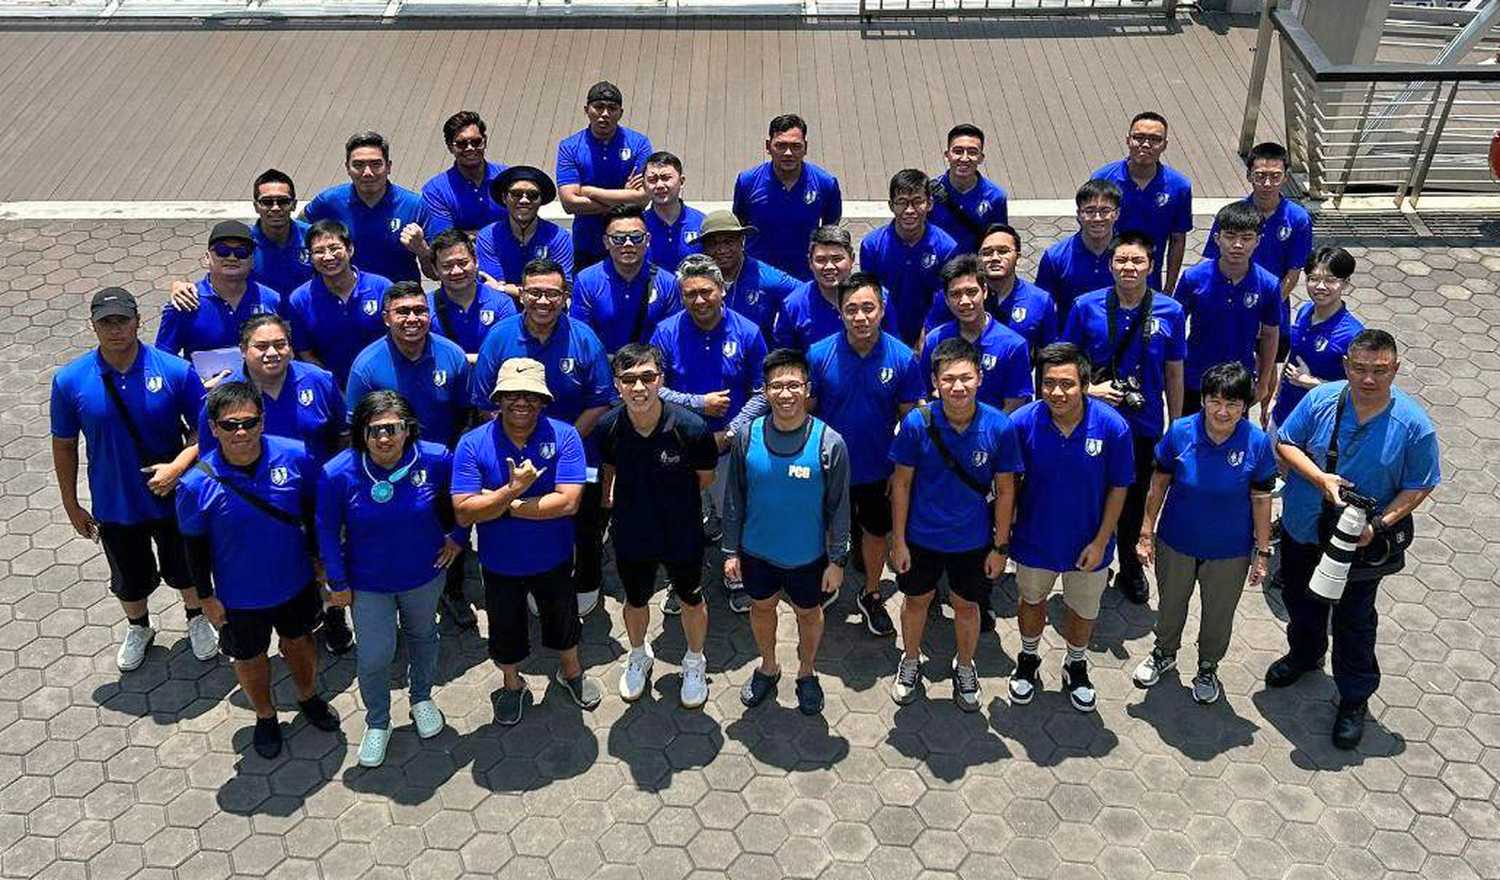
(509,624)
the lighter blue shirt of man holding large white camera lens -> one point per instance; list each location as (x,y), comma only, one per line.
(1393,452)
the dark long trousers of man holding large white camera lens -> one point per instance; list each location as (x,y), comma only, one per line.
(1357,672)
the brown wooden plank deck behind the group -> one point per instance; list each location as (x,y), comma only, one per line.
(196,115)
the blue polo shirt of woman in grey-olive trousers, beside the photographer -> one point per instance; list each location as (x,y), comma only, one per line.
(1207,513)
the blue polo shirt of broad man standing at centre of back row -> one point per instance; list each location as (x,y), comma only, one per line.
(785,218)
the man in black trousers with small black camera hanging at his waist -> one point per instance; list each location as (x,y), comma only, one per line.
(1138,349)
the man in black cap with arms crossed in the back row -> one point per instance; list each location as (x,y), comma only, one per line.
(601,169)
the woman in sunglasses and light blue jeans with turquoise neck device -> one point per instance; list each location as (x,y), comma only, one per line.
(386,534)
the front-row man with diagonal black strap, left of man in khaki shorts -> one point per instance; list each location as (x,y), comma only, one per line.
(953,494)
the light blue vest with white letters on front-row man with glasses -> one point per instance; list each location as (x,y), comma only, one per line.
(778,489)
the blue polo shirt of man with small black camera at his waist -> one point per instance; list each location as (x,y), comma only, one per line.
(1165,341)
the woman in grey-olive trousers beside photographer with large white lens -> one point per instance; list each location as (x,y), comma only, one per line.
(1213,494)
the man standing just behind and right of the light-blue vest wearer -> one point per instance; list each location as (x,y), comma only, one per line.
(865,382)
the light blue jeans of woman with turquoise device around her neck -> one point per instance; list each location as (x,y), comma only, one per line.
(376,617)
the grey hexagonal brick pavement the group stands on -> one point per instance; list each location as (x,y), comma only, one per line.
(151,776)
